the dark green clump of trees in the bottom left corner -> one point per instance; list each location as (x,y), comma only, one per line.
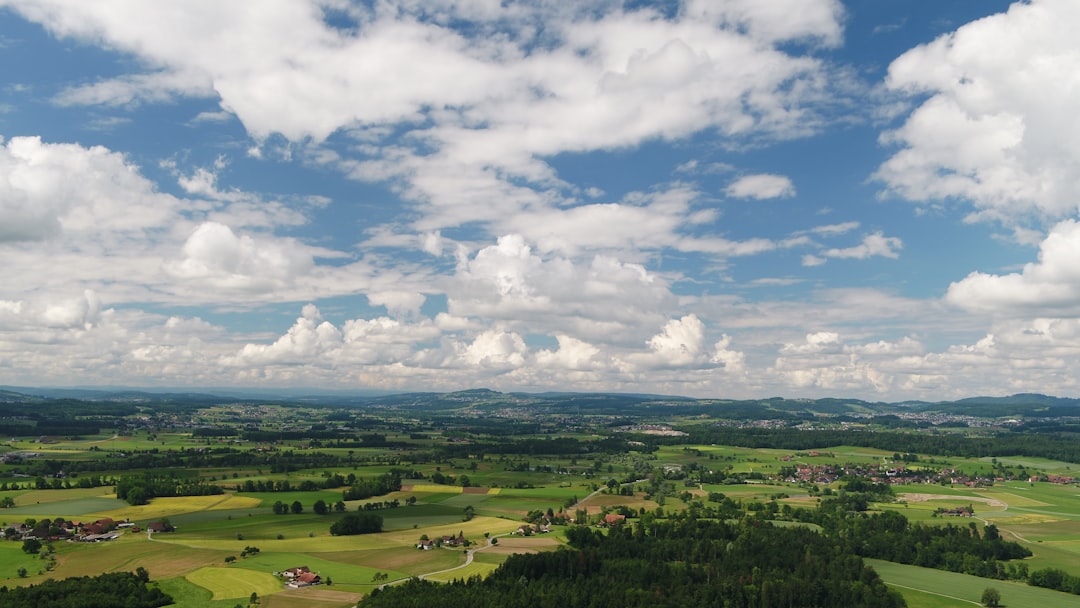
(114,589)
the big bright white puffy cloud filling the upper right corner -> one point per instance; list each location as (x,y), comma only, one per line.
(997,126)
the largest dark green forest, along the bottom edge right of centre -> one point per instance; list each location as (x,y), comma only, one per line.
(671,564)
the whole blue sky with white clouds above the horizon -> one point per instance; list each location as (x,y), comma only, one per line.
(728,199)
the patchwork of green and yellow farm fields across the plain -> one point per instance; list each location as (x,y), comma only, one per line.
(477,477)
